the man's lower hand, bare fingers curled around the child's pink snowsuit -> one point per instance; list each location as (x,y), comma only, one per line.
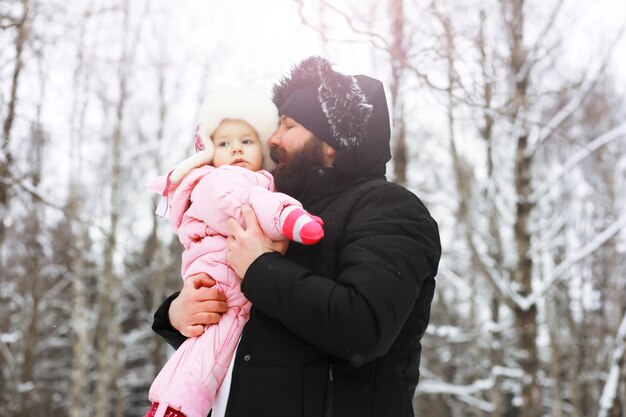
(198,304)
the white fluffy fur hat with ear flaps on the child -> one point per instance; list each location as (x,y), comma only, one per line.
(231,103)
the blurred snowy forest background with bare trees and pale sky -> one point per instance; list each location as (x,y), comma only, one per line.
(509,122)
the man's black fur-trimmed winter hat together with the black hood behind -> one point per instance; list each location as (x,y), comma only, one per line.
(348,112)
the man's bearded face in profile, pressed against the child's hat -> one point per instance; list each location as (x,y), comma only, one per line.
(296,152)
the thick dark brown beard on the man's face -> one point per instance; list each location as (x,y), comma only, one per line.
(292,170)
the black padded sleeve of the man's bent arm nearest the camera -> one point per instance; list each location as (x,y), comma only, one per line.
(391,245)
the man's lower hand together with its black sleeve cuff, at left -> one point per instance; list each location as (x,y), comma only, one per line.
(185,313)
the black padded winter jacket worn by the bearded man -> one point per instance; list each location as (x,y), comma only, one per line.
(335,327)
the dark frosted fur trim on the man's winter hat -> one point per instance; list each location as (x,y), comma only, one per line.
(342,102)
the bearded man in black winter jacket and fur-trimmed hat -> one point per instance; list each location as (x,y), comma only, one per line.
(335,327)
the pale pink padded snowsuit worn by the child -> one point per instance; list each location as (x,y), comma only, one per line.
(199,207)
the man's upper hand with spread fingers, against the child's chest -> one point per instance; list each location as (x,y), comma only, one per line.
(245,245)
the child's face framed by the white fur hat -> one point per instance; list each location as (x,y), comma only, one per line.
(236,143)
